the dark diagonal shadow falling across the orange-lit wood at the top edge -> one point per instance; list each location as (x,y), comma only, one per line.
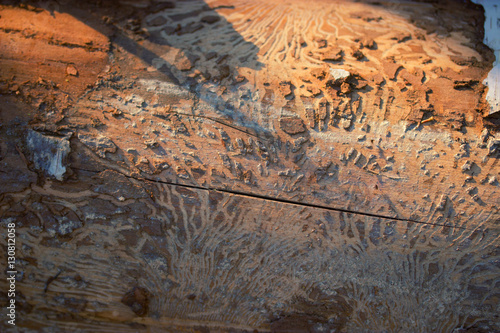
(205,52)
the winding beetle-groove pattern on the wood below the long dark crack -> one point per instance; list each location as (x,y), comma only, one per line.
(220,258)
